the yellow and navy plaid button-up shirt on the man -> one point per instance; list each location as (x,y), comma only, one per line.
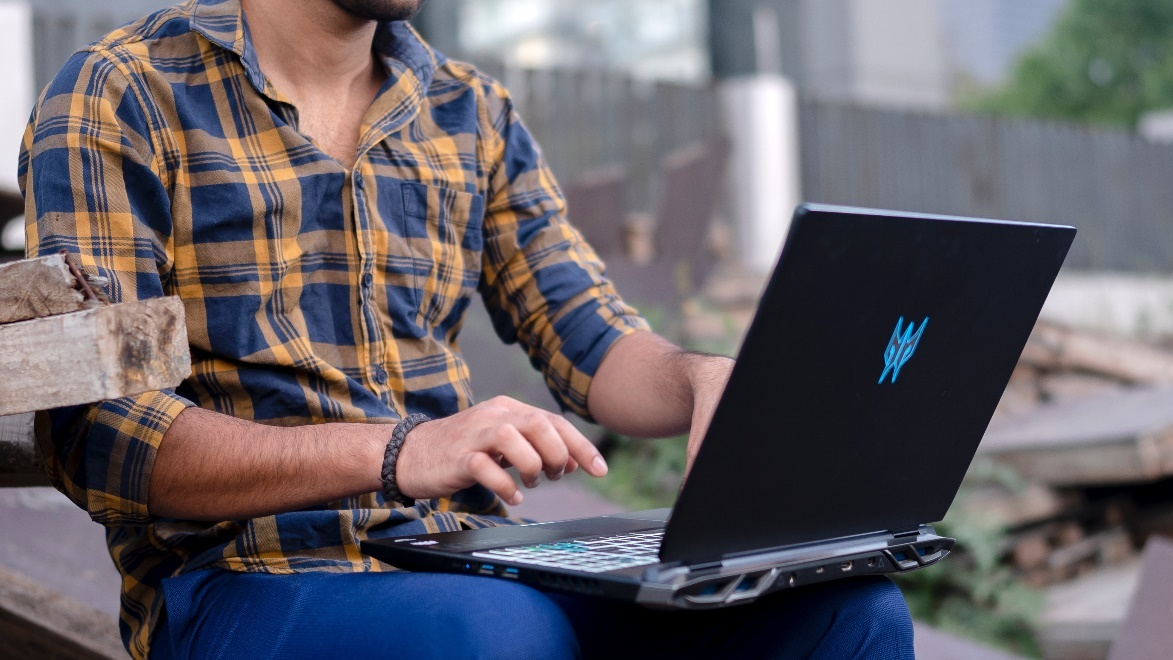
(165,160)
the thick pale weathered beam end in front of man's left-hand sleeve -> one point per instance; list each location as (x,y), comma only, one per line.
(92,356)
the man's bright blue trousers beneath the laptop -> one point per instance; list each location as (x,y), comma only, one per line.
(216,614)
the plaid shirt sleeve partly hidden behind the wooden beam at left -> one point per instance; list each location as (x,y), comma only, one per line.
(92,182)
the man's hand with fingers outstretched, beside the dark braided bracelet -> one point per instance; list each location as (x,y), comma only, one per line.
(476,446)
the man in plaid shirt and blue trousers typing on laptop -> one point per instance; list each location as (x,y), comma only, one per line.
(326,193)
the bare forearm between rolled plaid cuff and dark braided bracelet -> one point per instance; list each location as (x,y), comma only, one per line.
(214,467)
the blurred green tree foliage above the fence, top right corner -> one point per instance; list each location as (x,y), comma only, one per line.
(1107,62)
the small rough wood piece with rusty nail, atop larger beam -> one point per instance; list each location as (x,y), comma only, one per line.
(38,288)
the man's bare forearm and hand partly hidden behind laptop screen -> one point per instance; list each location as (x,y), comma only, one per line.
(648,387)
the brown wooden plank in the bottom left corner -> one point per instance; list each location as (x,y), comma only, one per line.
(39,623)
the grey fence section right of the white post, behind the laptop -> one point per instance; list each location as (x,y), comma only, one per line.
(1115,187)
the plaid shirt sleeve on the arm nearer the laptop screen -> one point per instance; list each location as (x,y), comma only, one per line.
(544,285)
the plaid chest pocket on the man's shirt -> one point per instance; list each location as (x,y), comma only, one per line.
(450,258)
